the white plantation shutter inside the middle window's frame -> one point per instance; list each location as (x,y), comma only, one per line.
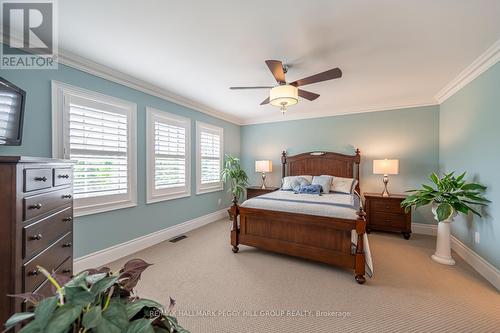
(170,156)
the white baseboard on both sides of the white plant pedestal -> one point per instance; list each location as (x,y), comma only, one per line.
(487,270)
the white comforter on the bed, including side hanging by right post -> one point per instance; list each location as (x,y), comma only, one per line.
(337,205)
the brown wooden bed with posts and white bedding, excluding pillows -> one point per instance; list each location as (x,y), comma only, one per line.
(330,228)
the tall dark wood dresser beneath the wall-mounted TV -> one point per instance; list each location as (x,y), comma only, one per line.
(36,226)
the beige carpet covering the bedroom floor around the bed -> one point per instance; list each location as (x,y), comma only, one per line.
(255,291)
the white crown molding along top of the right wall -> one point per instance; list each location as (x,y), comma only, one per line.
(486,60)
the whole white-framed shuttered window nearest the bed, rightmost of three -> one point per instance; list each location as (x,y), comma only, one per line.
(208,158)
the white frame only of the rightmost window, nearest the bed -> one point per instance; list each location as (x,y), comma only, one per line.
(216,186)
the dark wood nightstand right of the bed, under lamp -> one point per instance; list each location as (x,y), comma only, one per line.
(386,214)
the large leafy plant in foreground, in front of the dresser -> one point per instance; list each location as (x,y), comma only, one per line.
(96,301)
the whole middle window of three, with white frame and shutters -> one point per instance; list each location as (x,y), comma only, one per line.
(168,156)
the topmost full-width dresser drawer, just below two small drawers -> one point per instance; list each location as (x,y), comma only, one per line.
(42,203)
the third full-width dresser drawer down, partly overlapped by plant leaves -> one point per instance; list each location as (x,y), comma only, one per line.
(49,259)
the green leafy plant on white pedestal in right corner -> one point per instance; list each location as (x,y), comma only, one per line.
(449,196)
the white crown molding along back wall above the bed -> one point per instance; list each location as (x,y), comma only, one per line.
(344,112)
